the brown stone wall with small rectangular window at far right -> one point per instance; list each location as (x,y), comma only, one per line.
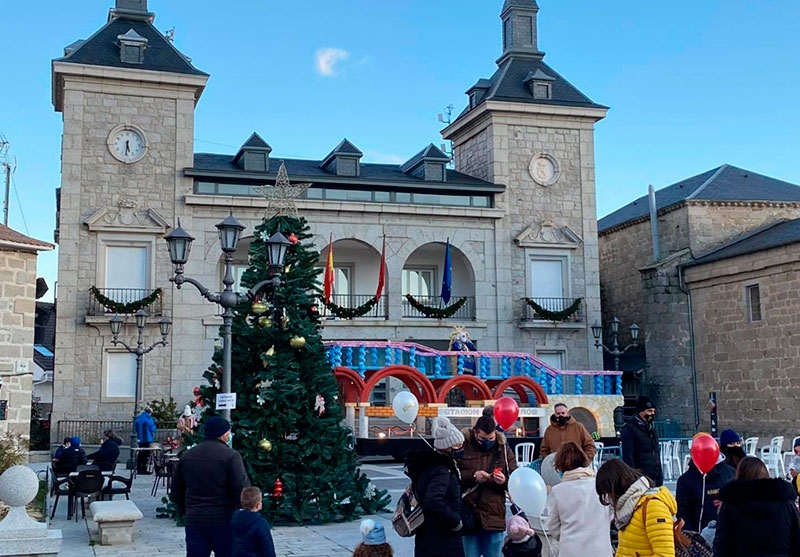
(753,366)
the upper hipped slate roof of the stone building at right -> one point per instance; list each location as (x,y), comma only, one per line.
(724,183)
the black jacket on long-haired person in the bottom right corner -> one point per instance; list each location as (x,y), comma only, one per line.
(757,519)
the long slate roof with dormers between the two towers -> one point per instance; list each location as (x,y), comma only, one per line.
(303,170)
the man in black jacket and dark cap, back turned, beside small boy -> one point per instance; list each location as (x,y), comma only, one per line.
(206,486)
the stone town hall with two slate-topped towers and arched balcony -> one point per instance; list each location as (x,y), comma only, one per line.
(518,212)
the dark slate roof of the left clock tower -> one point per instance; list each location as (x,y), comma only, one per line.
(101,49)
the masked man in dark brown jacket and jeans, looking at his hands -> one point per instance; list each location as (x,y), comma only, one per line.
(487,463)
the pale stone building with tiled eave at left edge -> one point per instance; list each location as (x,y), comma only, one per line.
(17,309)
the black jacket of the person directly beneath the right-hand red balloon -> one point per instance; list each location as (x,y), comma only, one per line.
(689,494)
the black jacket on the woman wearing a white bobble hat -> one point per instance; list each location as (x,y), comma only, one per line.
(435,479)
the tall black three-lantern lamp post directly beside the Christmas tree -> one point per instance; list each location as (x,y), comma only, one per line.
(230,230)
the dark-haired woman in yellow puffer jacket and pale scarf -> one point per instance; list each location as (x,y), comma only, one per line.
(629,493)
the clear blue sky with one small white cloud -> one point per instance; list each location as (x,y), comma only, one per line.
(690,84)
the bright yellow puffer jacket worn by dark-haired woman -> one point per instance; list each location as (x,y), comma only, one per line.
(655,538)
